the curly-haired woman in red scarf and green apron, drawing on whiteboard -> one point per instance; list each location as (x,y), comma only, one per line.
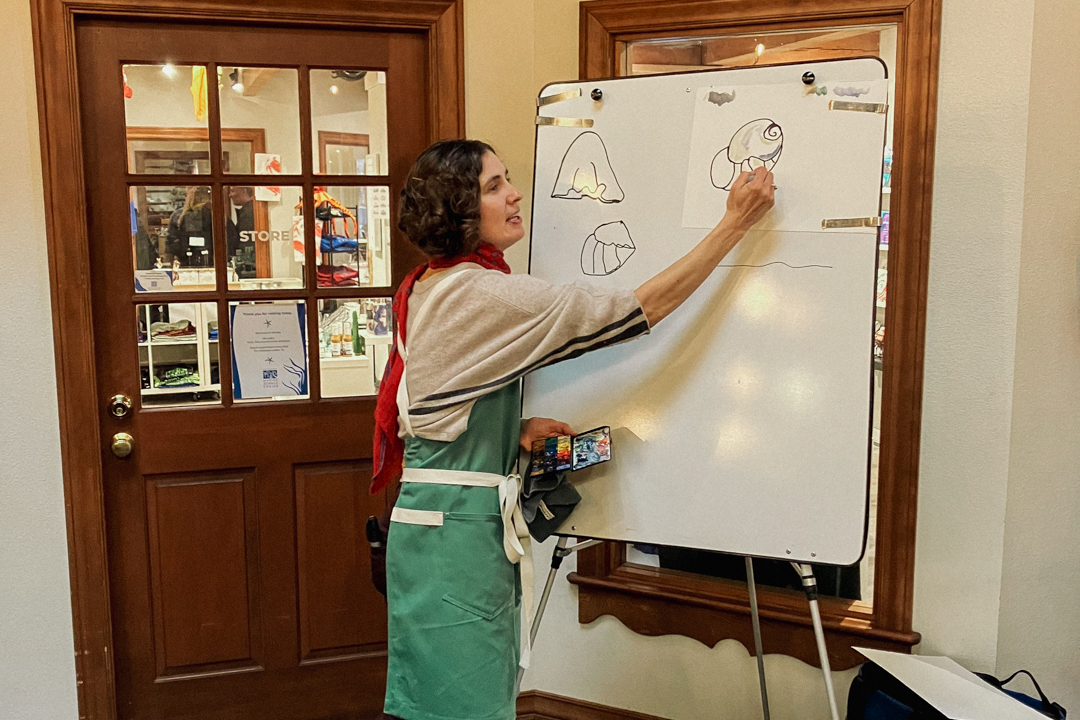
(468,332)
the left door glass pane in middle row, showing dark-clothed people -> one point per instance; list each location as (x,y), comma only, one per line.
(172,238)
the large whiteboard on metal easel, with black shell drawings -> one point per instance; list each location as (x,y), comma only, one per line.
(744,423)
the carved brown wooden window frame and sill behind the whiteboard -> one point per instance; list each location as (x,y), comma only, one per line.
(658,603)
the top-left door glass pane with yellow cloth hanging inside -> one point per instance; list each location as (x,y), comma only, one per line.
(166,112)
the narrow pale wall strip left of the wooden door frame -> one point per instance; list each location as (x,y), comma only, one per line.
(37,664)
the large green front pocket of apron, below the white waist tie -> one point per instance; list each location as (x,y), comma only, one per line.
(478,577)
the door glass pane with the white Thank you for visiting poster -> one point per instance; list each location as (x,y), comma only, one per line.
(269,350)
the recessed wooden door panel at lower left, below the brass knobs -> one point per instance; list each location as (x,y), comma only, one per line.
(202,569)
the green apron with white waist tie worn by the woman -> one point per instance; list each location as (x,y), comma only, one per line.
(454,596)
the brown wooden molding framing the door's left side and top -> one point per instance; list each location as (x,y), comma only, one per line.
(67,240)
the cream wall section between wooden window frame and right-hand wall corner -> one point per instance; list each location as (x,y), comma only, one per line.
(971,325)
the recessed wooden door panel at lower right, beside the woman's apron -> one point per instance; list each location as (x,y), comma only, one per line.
(333,565)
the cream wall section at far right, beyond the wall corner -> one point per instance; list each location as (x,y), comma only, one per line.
(1039,624)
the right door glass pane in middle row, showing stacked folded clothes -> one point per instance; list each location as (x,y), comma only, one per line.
(353,236)
